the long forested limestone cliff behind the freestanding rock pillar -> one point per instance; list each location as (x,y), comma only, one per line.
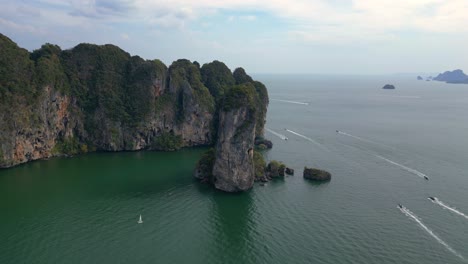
(100,98)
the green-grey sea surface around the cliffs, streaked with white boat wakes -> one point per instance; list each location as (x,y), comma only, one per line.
(378,144)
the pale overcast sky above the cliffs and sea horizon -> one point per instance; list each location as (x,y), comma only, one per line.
(263,36)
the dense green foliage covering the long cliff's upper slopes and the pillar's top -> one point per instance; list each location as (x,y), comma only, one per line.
(112,94)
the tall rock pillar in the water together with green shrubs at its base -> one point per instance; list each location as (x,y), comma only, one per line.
(231,165)
